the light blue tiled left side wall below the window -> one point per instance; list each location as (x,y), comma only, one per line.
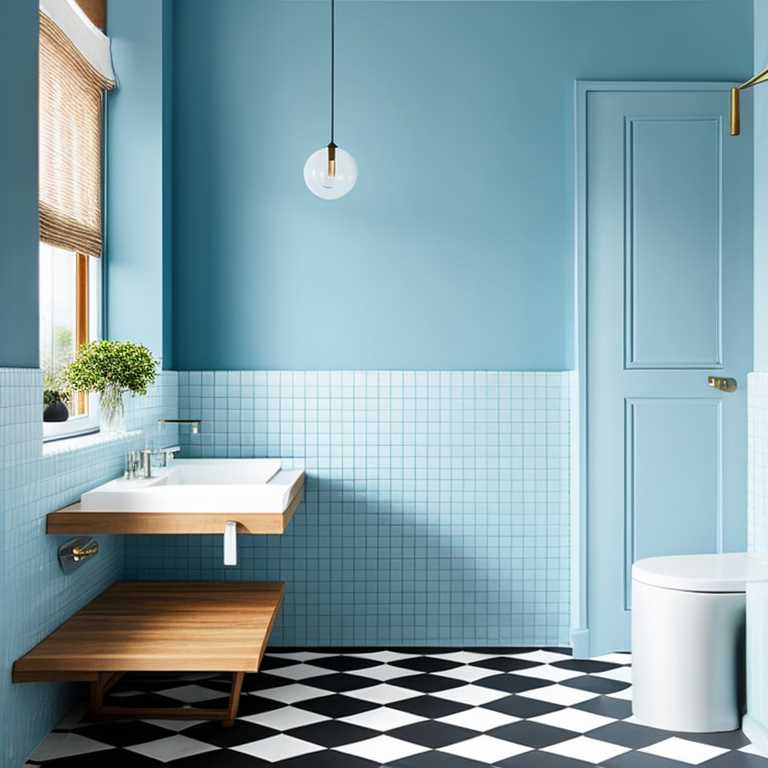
(36,596)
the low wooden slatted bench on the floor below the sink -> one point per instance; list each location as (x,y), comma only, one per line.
(159,627)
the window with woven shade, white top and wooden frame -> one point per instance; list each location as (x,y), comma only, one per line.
(75,72)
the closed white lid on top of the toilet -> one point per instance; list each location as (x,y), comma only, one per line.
(703,573)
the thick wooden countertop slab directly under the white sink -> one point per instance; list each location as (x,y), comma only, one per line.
(72,520)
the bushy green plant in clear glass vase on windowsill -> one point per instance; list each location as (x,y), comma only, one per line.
(112,368)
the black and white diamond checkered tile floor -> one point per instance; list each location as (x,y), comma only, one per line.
(402,709)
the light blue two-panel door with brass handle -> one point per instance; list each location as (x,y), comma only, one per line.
(668,256)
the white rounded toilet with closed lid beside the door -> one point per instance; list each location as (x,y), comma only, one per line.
(688,659)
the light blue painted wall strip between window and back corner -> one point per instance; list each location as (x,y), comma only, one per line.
(138,195)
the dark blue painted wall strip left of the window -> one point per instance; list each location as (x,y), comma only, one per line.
(18,184)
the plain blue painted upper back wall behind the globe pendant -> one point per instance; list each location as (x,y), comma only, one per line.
(455,250)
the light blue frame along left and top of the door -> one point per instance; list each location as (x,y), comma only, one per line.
(580,636)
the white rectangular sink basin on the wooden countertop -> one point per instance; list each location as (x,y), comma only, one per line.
(202,485)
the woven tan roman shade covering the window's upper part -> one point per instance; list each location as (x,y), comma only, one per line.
(71,118)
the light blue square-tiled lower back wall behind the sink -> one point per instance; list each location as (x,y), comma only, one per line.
(436,508)
